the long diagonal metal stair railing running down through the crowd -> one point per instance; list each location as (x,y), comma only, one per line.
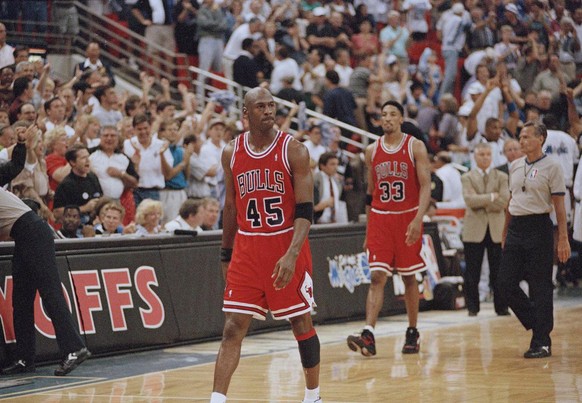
(119,45)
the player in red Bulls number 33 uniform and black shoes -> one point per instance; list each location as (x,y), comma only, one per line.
(397,198)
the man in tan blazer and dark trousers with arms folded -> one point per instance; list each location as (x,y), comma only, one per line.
(486,193)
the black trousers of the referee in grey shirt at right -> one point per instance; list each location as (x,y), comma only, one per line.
(528,255)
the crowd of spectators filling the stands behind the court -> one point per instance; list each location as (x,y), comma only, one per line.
(467,72)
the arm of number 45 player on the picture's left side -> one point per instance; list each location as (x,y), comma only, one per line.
(229,225)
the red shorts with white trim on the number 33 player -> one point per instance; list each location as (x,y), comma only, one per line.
(386,242)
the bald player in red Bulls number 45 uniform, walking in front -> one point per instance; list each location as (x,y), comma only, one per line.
(265,253)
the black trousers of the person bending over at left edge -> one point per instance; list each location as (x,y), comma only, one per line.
(34,267)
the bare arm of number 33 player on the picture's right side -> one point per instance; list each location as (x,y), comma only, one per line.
(422,164)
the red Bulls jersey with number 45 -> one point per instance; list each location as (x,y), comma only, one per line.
(265,201)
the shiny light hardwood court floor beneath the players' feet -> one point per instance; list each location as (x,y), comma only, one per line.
(462,359)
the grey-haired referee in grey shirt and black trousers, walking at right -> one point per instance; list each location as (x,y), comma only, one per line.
(536,183)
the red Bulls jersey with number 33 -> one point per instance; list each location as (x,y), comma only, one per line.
(396,186)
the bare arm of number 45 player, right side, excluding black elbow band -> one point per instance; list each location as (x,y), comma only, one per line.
(303,188)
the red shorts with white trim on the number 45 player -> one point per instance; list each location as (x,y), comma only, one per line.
(249,286)
